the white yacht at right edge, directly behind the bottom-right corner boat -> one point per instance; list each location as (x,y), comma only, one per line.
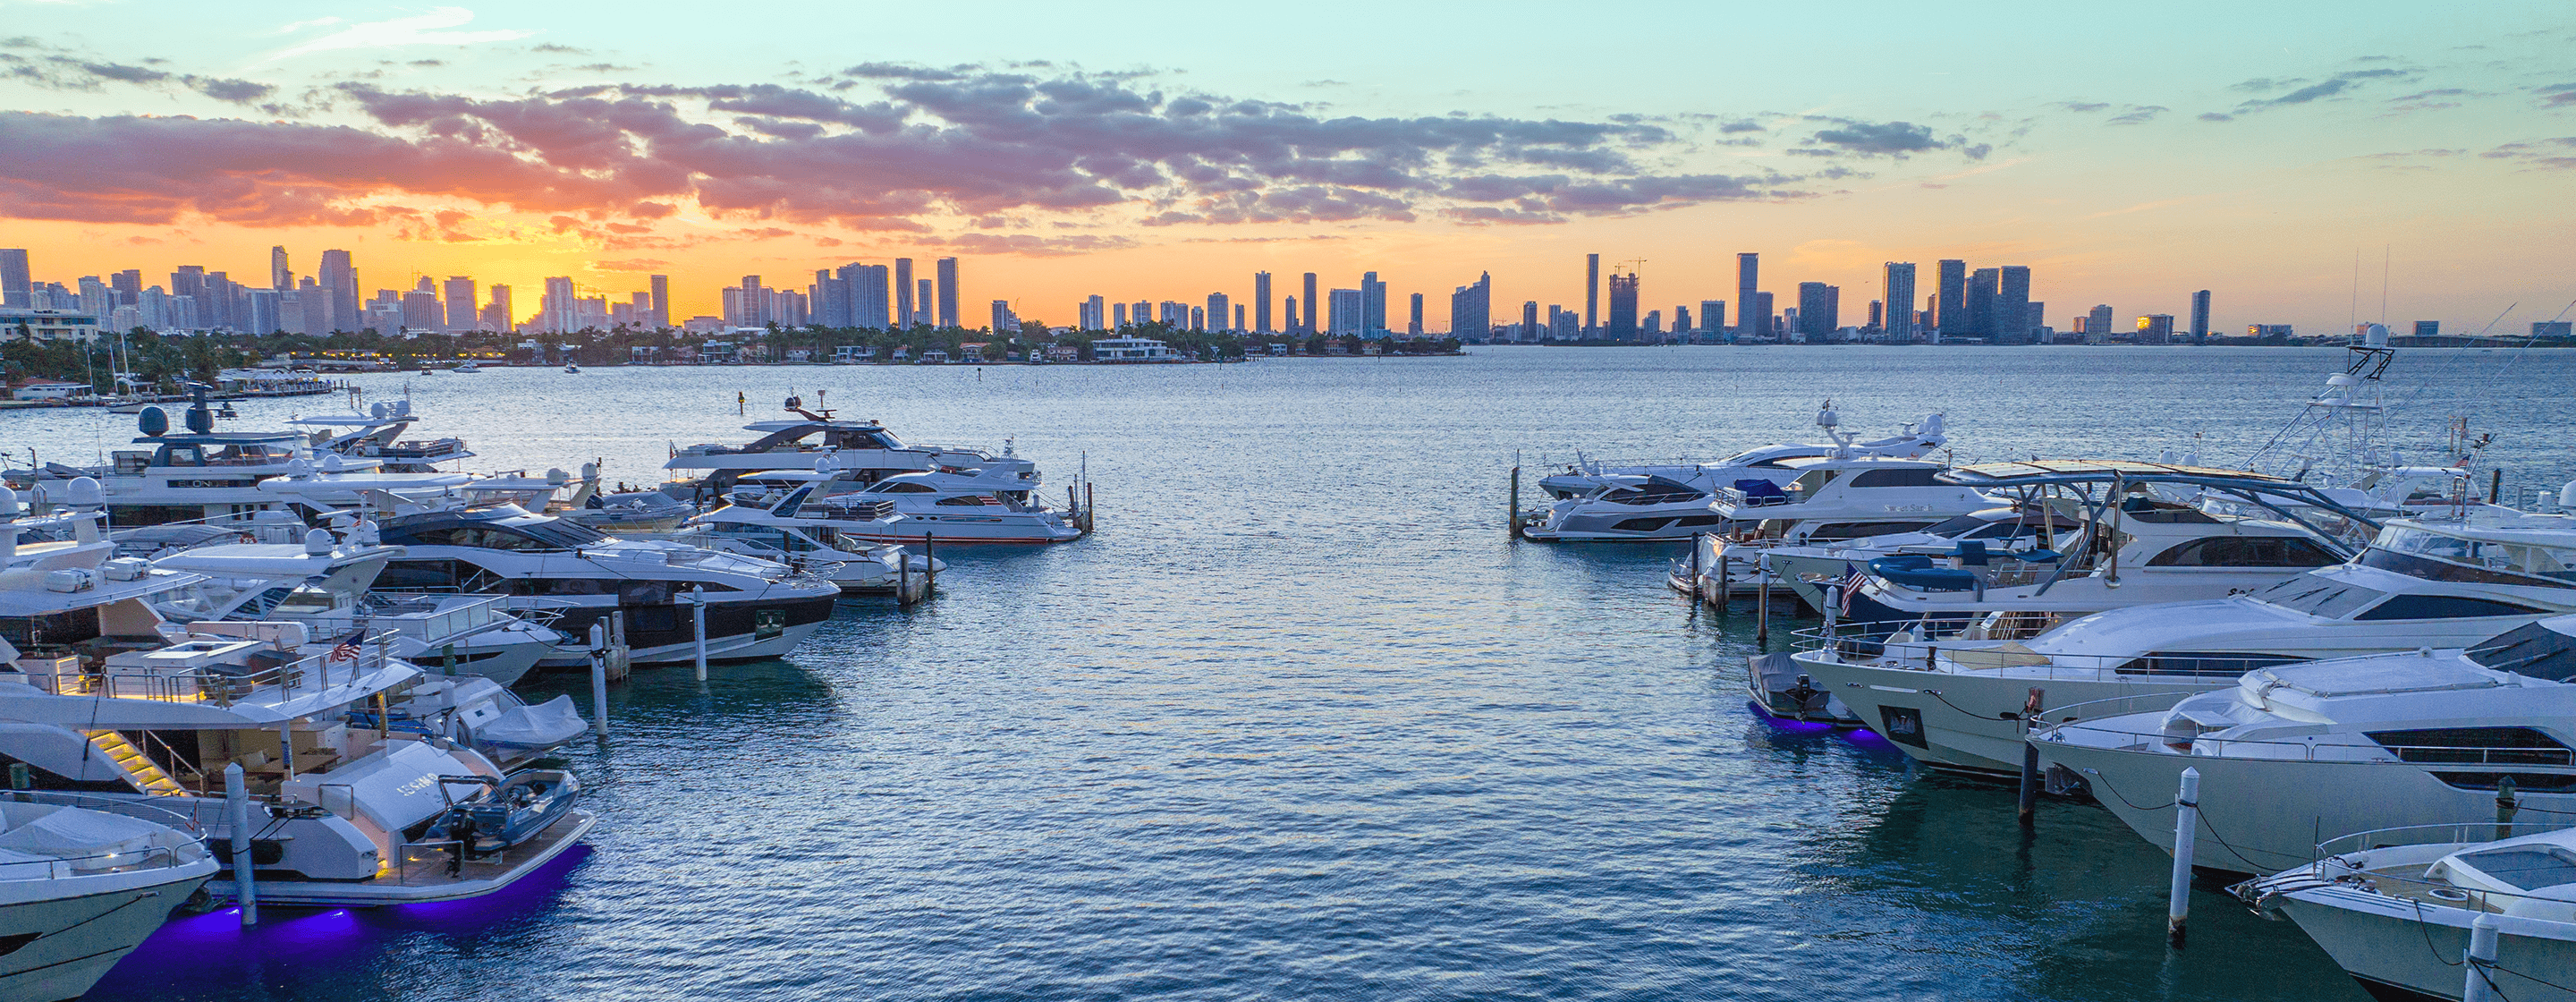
(2387,741)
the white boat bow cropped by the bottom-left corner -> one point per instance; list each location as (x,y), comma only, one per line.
(84,882)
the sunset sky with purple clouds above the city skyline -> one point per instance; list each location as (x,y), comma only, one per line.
(2302,161)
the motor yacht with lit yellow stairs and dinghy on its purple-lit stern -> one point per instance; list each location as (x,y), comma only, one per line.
(346,815)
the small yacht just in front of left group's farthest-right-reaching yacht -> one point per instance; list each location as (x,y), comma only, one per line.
(820,545)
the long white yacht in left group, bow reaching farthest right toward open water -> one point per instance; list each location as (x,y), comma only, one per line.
(921,509)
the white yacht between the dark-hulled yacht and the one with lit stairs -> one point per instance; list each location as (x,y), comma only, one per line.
(326,589)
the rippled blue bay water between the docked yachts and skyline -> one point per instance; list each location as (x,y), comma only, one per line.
(1300,723)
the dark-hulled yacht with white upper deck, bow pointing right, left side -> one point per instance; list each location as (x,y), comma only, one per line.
(753,609)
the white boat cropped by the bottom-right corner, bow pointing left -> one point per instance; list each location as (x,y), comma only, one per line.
(2397,908)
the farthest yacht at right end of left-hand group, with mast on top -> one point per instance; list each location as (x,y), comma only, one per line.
(859,447)
